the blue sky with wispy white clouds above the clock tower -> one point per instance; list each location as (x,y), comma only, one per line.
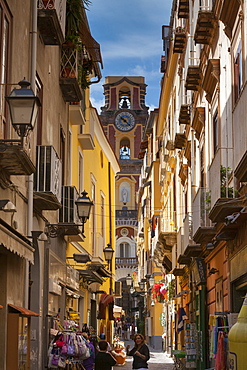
(129,34)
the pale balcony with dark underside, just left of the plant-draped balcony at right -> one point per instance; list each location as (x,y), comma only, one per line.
(203,230)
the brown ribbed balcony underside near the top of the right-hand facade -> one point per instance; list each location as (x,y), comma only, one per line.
(205,27)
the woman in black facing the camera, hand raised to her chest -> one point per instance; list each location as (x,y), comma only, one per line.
(140,353)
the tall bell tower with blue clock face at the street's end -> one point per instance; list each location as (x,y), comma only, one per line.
(124,117)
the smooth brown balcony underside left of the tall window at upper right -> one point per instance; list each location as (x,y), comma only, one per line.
(211,78)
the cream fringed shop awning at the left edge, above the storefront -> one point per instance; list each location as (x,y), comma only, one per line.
(15,242)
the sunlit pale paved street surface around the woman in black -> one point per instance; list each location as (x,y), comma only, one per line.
(158,360)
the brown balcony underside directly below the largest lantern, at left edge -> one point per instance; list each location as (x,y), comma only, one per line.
(14,158)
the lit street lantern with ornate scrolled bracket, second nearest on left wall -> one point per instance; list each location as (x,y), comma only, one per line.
(84,205)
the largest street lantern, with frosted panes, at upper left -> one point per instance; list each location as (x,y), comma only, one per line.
(23,107)
